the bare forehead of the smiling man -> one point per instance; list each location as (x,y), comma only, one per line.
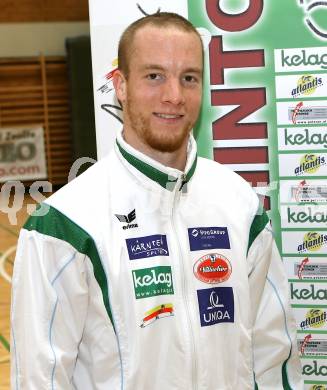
(166,45)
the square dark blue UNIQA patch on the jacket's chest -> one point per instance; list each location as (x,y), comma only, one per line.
(216,305)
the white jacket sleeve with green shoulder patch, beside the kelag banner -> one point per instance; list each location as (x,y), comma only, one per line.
(276,358)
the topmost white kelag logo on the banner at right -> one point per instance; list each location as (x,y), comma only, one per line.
(303,58)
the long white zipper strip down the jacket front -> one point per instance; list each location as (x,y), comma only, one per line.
(177,192)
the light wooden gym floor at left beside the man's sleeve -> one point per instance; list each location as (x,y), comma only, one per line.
(8,239)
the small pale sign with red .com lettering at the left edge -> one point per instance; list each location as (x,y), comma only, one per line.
(22,155)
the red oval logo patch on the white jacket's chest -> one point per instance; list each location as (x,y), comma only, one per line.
(212,268)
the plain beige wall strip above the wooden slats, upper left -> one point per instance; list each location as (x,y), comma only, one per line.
(31,39)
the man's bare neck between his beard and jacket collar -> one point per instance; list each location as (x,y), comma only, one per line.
(176,159)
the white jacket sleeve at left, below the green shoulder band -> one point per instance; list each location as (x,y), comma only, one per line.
(48,311)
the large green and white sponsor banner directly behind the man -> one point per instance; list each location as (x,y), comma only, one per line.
(264,115)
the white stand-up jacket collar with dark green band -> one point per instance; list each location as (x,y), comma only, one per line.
(166,177)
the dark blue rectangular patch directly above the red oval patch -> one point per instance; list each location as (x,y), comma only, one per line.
(208,238)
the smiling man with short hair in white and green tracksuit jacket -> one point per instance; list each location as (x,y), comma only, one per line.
(153,270)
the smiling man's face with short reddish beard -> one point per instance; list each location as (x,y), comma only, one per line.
(162,94)
